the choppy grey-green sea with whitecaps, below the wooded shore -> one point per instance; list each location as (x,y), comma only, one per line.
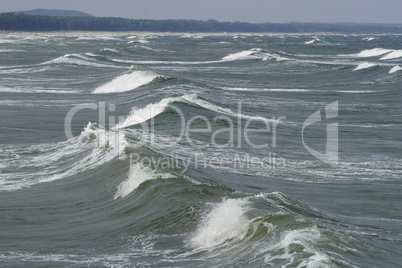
(191,150)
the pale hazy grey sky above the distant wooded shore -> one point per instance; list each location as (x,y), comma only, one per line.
(385,11)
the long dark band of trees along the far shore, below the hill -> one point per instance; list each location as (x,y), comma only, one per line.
(23,22)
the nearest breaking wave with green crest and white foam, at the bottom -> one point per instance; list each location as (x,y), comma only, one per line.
(275,238)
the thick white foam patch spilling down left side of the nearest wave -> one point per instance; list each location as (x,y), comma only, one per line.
(225,222)
